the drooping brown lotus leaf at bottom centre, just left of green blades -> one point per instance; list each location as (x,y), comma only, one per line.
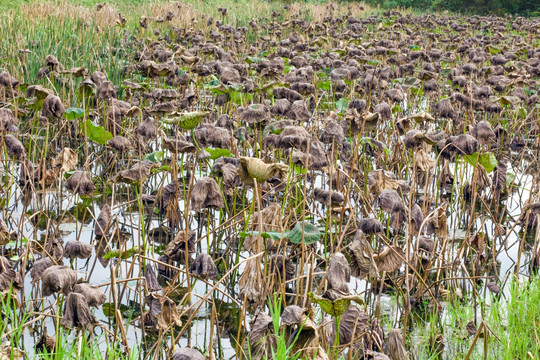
(261,338)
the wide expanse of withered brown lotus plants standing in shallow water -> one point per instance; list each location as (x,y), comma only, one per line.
(324,166)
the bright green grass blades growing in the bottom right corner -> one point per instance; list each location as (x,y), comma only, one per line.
(512,325)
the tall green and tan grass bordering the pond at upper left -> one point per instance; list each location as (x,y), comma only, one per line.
(79,35)
